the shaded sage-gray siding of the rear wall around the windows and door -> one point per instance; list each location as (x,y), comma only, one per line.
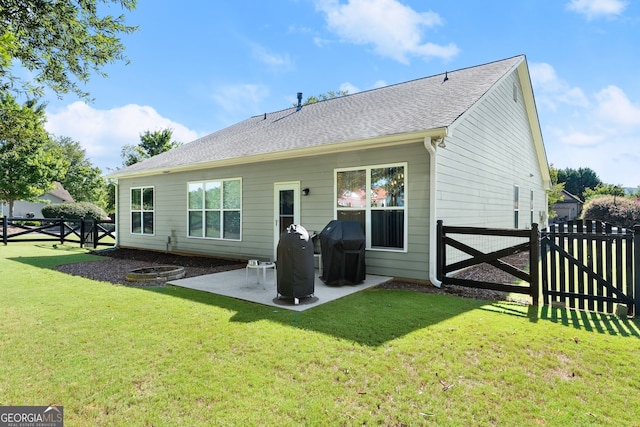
(317,209)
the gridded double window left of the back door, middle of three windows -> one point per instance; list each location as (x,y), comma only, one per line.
(215,209)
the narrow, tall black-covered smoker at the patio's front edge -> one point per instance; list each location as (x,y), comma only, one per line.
(296,273)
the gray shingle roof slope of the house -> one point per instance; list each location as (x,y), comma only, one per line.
(414,106)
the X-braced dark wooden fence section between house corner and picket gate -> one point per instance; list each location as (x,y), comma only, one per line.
(454,238)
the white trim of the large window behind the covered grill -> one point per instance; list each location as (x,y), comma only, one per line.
(368,209)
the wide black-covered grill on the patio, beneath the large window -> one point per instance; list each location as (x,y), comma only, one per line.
(342,244)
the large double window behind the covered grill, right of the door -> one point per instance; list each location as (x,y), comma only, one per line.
(375,197)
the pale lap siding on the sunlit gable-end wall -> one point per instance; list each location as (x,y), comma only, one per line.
(491,150)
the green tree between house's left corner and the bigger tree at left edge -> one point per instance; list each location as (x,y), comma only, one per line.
(83,180)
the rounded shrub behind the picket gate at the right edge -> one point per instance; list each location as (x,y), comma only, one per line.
(618,211)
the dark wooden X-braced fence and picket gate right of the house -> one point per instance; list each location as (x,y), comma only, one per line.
(587,265)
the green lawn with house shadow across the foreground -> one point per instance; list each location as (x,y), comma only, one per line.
(114,355)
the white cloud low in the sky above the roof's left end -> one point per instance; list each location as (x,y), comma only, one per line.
(102,133)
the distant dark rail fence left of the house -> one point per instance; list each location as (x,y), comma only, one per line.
(86,232)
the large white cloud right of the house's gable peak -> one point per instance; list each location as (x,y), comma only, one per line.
(598,130)
